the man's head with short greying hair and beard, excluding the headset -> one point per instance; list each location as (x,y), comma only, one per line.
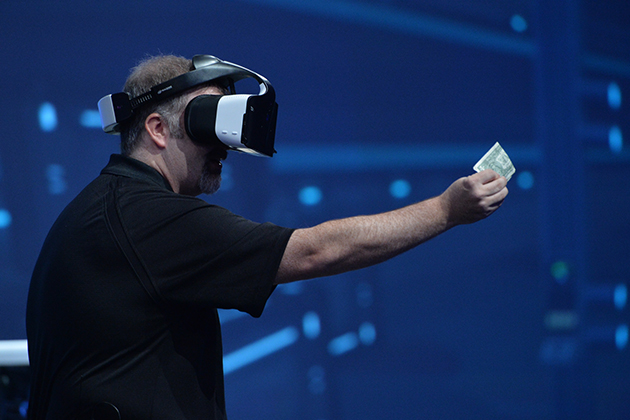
(156,133)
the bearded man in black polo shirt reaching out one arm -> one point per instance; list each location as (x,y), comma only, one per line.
(122,306)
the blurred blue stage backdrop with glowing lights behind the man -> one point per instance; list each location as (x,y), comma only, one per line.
(382,103)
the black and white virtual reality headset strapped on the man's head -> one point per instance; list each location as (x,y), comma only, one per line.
(243,122)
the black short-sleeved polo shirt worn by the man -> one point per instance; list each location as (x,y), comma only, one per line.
(152,347)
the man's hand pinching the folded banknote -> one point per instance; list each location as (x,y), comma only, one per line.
(473,198)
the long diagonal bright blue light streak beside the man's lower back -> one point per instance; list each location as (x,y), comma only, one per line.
(259,349)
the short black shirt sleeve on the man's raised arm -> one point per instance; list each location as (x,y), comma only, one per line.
(201,256)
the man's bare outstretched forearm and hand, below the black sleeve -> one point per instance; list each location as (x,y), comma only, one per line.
(342,245)
